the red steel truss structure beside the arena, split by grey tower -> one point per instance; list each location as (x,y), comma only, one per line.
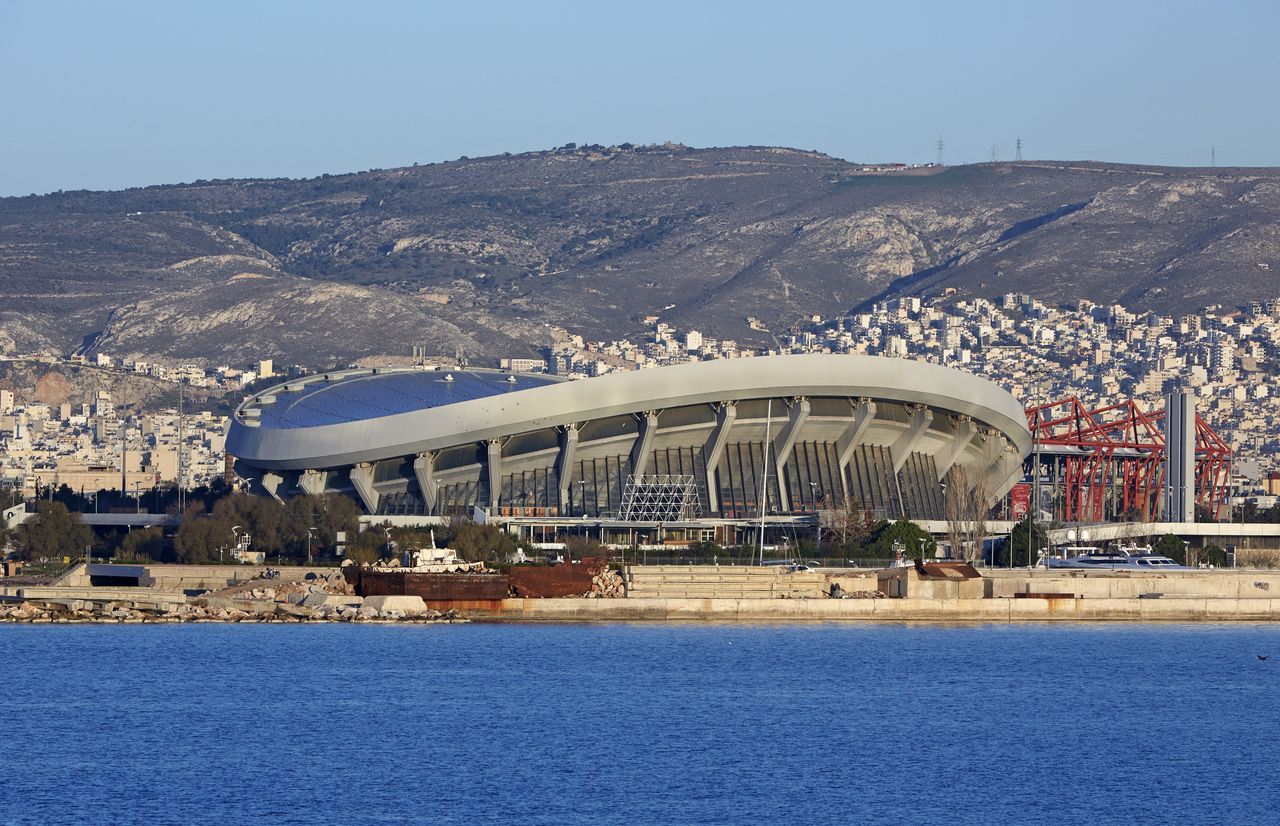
(1110,462)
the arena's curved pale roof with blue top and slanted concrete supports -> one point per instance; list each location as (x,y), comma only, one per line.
(362,419)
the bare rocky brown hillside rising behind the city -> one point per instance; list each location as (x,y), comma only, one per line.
(487,255)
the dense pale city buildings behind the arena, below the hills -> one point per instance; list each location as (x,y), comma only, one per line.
(1101,354)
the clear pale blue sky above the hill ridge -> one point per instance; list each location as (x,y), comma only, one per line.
(112,95)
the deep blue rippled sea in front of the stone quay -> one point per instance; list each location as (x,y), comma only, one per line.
(639,724)
